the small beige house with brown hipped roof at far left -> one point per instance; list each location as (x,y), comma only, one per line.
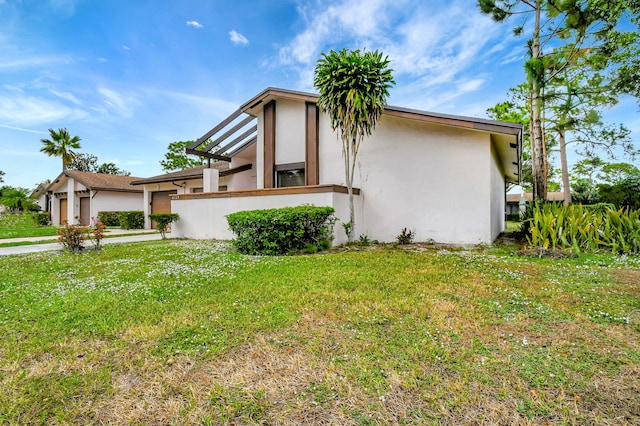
(77,197)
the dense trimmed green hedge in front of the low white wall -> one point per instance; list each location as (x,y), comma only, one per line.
(281,231)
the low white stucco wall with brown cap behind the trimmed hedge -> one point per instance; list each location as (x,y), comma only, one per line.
(206,217)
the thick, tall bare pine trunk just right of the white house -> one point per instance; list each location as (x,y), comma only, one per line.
(538,158)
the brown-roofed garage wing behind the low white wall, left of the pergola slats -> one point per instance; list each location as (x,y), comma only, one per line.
(158,189)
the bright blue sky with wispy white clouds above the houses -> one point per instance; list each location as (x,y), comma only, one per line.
(129,77)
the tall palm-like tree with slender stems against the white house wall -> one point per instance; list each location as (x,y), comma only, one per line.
(353,88)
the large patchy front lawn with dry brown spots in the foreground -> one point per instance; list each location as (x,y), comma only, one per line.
(183,332)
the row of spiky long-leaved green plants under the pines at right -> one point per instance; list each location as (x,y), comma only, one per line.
(574,227)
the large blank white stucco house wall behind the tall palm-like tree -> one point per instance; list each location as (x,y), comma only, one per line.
(432,179)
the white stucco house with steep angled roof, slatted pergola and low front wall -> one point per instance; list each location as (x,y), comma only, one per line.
(442,176)
